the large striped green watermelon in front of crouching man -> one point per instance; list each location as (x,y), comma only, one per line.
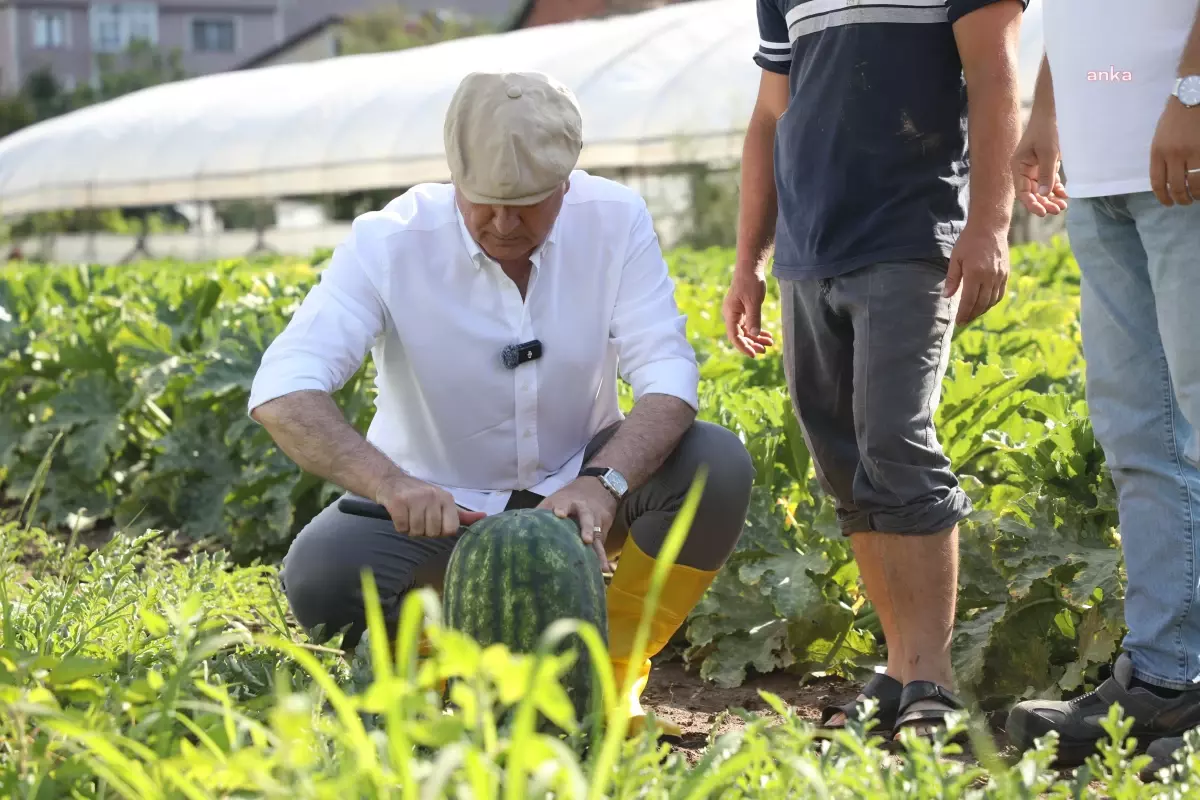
(513,575)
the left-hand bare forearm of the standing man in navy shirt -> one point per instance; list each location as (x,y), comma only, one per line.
(759,202)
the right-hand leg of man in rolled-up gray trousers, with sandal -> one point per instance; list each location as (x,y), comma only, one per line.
(910,502)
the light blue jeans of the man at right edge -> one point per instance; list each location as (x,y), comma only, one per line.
(1141,266)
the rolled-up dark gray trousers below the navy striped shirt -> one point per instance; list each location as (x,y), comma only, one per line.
(865,356)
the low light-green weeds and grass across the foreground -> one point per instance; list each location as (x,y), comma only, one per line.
(130,673)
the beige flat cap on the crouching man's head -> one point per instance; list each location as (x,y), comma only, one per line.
(512,137)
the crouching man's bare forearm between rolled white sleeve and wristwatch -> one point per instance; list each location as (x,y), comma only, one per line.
(649,436)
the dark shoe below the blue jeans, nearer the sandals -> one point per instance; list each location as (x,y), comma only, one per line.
(1078,721)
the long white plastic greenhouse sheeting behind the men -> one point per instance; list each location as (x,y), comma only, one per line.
(659,88)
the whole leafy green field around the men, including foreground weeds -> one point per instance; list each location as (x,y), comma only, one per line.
(134,672)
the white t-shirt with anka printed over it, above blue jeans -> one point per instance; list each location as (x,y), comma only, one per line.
(1114,65)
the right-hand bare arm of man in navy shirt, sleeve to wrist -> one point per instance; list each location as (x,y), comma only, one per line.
(994,117)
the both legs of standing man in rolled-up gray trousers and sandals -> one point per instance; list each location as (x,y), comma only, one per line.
(867,356)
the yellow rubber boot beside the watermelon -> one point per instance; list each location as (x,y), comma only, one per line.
(631,584)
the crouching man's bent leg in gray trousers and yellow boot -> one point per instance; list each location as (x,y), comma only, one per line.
(640,528)
